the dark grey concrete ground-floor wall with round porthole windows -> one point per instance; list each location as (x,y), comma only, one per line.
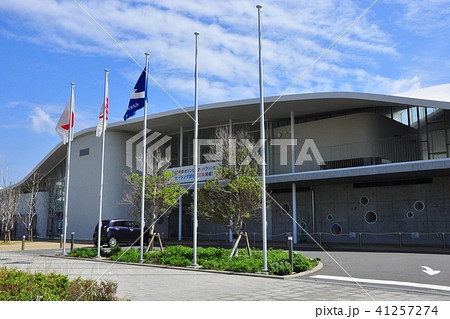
(341,203)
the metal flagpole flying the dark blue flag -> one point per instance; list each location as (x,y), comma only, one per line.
(144,160)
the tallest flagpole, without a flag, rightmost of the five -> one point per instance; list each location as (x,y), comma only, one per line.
(262,138)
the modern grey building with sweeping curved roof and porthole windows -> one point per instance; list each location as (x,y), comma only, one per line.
(340,165)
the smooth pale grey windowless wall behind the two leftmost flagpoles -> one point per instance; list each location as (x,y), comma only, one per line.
(84,184)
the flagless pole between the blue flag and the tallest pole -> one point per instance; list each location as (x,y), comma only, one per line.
(195,152)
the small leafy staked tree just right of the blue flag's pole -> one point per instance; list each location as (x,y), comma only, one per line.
(161,193)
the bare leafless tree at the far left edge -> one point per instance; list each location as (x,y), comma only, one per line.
(8,206)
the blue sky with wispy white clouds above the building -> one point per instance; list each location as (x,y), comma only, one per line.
(394,46)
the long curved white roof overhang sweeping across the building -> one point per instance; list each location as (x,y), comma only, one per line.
(248,111)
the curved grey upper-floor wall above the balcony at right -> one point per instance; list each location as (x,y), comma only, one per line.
(339,138)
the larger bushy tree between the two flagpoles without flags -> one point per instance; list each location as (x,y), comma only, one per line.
(235,192)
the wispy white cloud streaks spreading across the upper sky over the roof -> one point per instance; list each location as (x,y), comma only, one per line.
(295,33)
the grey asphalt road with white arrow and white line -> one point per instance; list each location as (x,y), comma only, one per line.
(401,271)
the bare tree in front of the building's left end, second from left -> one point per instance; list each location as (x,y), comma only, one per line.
(32,188)
